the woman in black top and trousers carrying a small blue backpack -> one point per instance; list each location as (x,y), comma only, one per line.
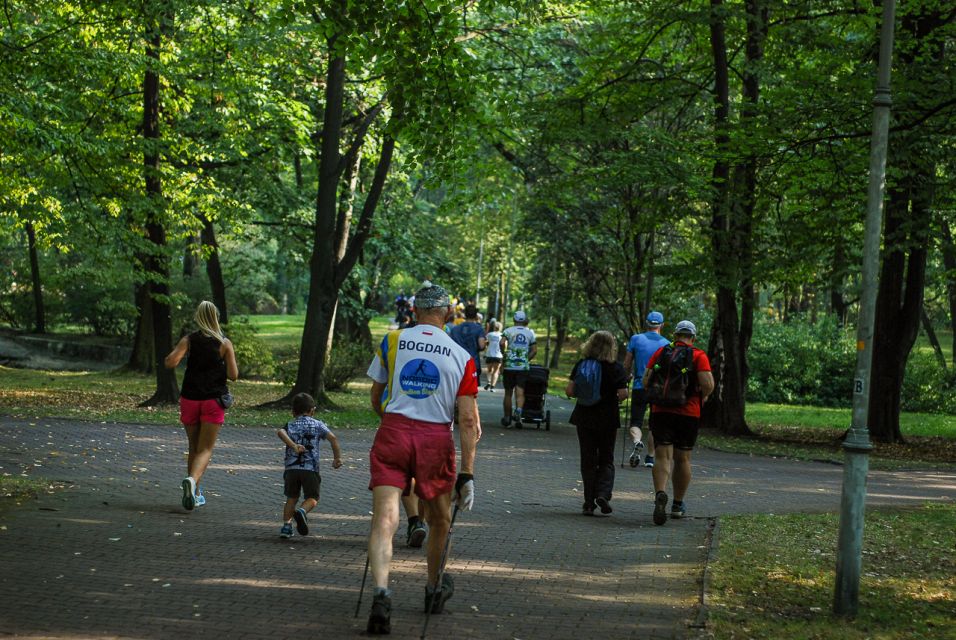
(599,383)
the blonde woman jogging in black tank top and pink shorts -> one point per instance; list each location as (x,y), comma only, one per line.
(211,360)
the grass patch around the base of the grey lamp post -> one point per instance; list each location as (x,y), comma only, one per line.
(774,577)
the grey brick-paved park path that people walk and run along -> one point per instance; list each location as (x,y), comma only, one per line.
(114,554)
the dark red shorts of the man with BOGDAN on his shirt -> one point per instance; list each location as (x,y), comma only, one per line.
(404,449)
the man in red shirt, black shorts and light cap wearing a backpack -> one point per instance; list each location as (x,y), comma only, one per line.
(675,428)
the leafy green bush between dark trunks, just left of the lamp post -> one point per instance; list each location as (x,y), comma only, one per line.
(800,362)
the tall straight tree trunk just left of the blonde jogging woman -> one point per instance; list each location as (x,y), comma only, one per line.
(157,264)
